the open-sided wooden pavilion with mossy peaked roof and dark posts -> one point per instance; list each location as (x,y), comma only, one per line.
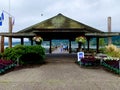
(58,27)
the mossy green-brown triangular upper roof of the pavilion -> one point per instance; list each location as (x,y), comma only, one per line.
(59,22)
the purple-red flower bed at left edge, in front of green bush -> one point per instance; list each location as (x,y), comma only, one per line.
(6,65)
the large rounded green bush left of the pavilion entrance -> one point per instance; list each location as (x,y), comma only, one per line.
(25,54)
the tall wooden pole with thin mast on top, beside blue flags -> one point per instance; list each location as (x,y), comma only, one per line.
(10,26)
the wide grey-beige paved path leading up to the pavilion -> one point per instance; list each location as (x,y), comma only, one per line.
(59,74)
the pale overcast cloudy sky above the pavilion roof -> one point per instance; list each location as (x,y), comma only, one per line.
(91,12)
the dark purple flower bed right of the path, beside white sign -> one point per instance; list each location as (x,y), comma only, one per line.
(110,63)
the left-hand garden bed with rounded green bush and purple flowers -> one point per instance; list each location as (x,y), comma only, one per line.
(21,55)
